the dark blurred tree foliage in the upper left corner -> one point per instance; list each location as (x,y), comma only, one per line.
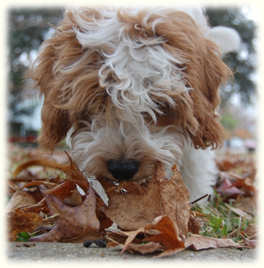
(26,29)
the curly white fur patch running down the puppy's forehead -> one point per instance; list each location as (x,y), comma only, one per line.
(142,69)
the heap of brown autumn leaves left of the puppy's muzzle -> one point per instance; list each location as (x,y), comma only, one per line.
(53,207)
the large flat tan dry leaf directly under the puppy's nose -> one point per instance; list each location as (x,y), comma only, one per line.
(139,205)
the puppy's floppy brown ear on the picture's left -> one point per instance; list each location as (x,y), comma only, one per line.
(55,121)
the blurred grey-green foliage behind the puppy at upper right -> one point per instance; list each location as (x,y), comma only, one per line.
(242,62)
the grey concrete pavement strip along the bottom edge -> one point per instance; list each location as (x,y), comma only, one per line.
(76,251)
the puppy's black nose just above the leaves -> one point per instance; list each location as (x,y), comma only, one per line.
(123,169)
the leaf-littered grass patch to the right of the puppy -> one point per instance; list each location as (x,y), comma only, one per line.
(232,213)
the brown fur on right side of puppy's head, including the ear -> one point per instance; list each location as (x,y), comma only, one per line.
(203,72)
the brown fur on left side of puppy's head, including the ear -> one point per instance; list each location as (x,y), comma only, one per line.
(64,73)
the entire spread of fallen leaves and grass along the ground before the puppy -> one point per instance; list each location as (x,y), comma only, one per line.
(51,200)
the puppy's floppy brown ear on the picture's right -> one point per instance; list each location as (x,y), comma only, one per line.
(212,74)
